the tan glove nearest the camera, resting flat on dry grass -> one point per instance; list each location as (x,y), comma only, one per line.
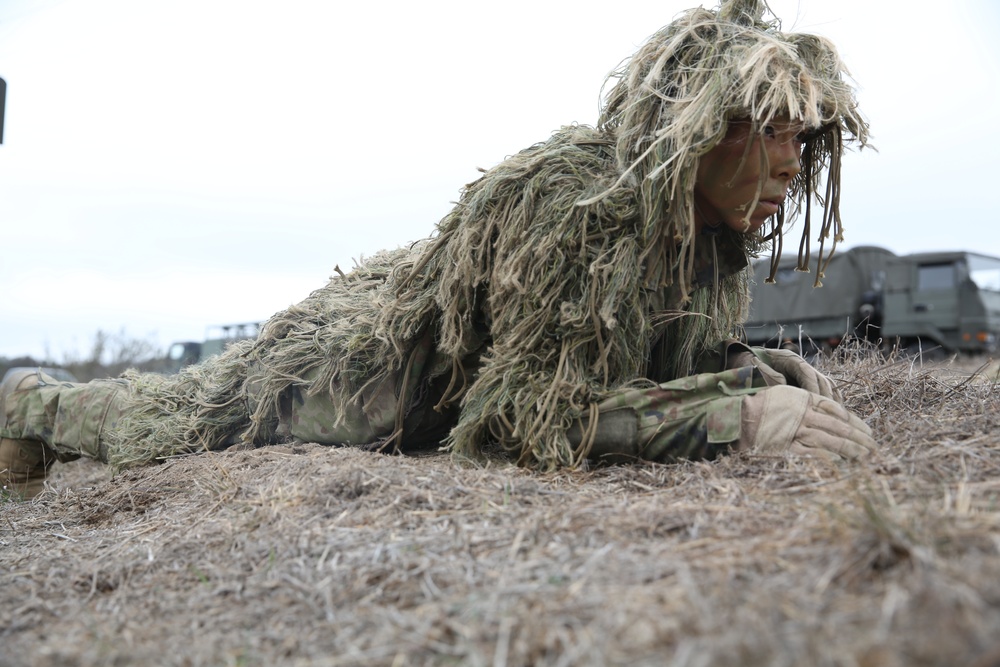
(789,420)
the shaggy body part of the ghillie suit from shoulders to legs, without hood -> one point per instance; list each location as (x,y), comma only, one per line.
(563,284)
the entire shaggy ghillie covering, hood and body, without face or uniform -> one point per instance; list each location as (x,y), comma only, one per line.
(575,260)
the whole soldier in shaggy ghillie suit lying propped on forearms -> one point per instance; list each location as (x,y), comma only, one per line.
(579,303)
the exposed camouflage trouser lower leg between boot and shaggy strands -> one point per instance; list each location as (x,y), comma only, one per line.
(68,417)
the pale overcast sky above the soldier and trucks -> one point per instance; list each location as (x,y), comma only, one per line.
(172,165)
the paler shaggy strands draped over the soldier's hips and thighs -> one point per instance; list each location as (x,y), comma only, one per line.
(327,342)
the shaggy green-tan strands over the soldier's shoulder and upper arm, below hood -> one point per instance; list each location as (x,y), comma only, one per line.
(565,290)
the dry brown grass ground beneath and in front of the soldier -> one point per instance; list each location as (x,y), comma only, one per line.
(307,555)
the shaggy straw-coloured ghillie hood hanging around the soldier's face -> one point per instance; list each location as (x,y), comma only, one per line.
(671,102)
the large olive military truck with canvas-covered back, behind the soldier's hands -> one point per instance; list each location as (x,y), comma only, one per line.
(944,301)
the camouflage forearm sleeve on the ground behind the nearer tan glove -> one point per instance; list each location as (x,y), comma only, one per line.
(696,417)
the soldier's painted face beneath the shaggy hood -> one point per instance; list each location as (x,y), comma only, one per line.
(725,190)
